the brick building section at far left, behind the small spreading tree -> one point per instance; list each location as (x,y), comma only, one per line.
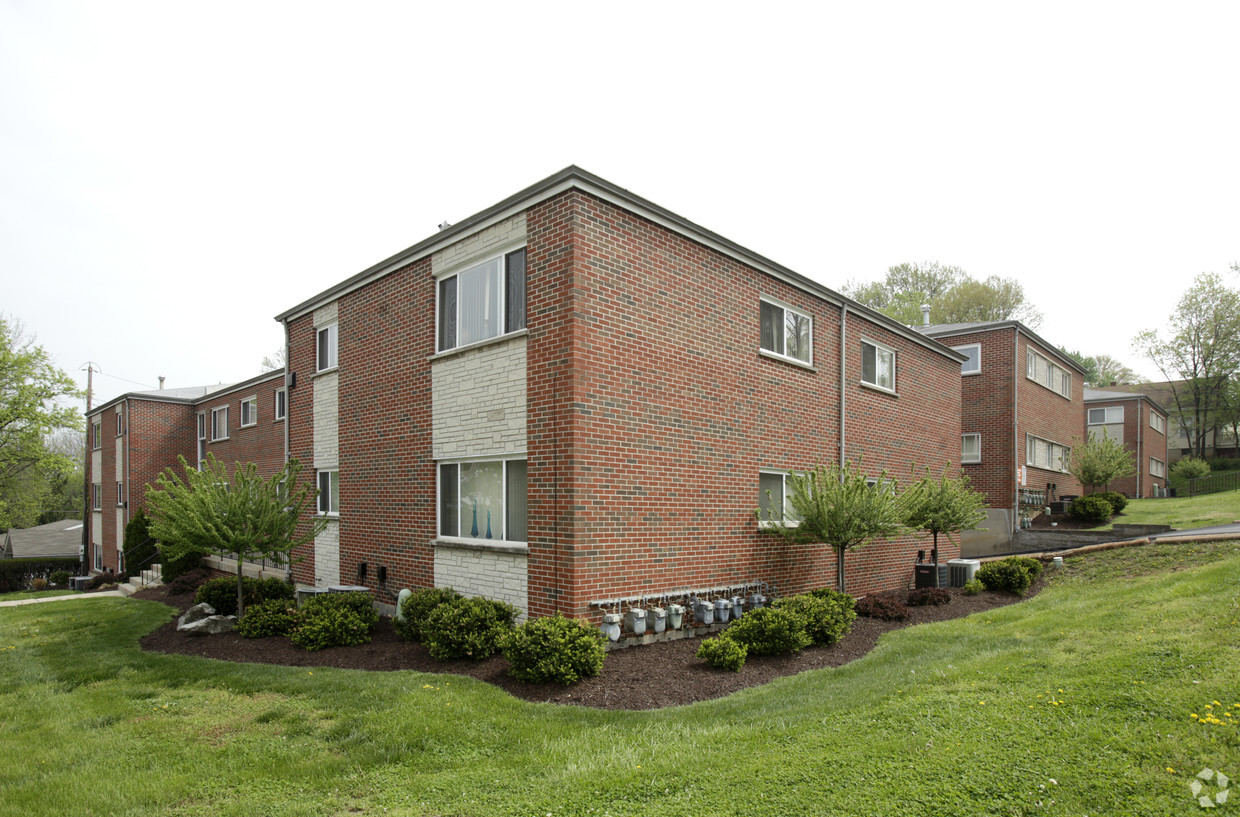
(135,437)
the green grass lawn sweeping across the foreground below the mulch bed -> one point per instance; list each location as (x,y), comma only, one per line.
(1081,701)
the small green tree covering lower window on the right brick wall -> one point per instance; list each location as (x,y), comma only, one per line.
(839,506)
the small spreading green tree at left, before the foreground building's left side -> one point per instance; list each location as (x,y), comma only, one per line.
(242,516)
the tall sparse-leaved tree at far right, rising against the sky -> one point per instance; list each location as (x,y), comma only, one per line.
(1200,354)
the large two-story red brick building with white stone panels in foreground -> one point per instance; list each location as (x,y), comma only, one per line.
(577,396)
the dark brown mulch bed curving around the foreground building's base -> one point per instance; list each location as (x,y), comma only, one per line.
(647,678)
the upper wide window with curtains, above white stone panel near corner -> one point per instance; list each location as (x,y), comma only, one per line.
(483,302)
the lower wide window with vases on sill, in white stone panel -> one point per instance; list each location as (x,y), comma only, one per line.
(483,500)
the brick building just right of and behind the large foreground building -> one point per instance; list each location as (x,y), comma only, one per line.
(1022,408)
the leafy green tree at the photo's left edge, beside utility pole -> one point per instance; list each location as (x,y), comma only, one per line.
(33,410)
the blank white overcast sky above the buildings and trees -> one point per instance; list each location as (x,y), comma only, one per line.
(173,175)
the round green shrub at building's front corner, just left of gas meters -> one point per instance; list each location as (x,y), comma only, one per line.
(554,650)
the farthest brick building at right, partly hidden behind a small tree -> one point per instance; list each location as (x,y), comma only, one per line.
(1139,423)
